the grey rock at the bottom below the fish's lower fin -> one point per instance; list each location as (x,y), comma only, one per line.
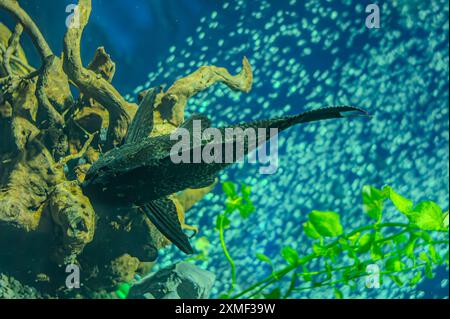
(179,281)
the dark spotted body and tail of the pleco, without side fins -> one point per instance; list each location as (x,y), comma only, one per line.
(143,171)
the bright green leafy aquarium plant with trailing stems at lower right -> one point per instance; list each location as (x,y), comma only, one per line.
(404,250)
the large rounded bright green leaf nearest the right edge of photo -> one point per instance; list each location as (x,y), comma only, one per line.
(426,216)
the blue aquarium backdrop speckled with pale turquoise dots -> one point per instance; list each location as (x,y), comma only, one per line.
(304,54)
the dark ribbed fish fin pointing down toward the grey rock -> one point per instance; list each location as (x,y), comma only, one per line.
(163,214)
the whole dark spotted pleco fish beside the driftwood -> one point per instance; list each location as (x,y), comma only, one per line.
(142,173)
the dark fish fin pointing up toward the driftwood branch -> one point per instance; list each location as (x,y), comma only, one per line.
(142,124)
